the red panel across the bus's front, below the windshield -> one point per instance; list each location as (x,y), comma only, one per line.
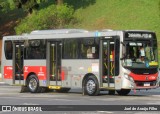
(149,77)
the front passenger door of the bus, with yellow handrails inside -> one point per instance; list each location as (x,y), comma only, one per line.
(109,60)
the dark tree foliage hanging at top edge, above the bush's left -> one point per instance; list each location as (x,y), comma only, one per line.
(27,5)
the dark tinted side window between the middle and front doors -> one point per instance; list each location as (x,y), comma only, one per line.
(85,48)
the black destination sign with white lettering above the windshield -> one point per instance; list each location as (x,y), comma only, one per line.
(139,35)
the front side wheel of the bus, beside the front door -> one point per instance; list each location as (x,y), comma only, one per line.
(91,86)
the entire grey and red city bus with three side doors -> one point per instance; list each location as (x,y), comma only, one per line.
(93,61)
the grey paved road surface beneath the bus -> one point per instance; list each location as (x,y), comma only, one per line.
(10,95)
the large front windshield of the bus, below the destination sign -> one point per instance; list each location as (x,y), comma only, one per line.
(140,54)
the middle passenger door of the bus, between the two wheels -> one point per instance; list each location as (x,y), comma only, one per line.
(54,62)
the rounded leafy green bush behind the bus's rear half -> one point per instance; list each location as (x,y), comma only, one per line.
(48,18)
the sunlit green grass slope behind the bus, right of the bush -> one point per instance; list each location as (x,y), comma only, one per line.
(121,15)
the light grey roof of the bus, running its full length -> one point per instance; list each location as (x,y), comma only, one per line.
(68,33)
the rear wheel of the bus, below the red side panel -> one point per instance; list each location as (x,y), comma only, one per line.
(33,84)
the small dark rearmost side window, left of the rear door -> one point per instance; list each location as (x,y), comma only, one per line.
(8,49)
